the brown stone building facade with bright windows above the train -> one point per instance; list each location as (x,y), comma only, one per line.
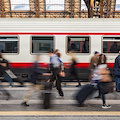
(58,8)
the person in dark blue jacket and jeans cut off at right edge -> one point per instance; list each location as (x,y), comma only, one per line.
(116,69)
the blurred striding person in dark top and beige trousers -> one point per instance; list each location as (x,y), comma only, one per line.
(35,72)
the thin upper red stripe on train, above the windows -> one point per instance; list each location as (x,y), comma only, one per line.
(39,33)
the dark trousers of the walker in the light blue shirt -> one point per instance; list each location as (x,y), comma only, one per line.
(57,77)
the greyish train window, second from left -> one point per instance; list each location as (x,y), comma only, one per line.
(41,44)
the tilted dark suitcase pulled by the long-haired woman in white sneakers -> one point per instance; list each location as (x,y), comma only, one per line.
(84,93)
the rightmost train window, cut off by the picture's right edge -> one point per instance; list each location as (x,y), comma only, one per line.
(111,44)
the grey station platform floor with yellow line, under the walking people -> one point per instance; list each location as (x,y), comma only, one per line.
(66,108)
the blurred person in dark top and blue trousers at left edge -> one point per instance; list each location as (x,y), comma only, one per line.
(4,65)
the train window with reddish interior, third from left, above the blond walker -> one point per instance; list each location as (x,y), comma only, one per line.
(78,44)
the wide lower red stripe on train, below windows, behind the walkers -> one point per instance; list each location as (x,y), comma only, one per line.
(27,65)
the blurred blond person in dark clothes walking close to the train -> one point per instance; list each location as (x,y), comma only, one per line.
(73,69)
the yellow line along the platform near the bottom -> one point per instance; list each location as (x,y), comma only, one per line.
(55,113)
